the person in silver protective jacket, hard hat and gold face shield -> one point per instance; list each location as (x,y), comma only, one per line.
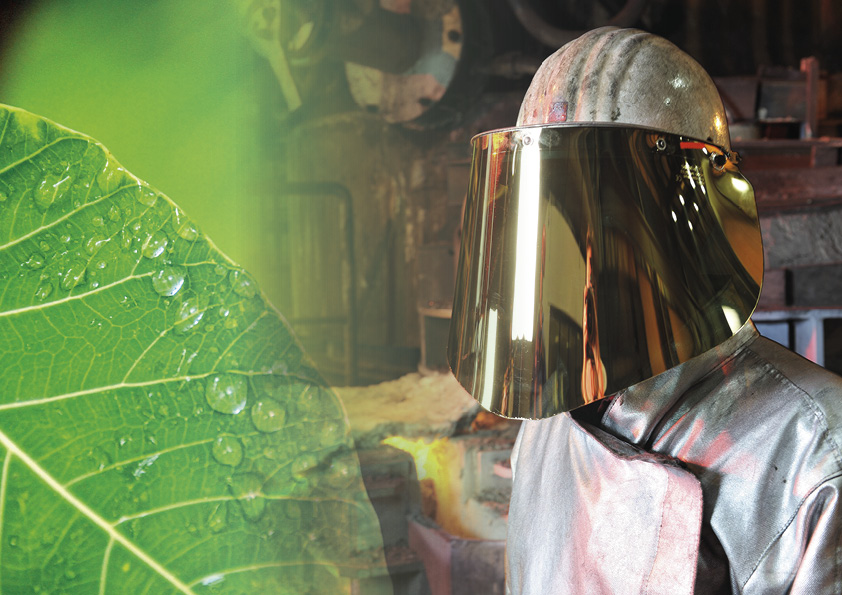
(611,259)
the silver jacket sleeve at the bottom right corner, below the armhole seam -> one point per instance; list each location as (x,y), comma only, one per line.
(806,559)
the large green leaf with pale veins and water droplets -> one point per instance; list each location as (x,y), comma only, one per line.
(161,430)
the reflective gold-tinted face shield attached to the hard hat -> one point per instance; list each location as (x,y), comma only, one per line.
(595,257)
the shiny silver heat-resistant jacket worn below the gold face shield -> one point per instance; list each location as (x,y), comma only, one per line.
(722,475)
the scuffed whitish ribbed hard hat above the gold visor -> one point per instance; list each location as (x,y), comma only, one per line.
(626,76)
